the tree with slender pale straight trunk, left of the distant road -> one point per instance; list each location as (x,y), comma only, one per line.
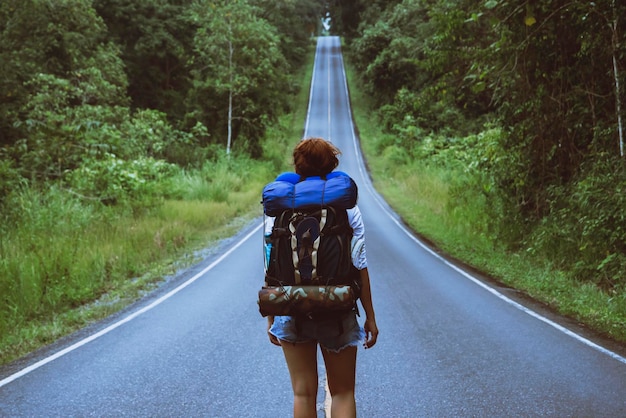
(238,66)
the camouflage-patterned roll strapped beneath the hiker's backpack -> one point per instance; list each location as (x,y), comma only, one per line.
(305,300)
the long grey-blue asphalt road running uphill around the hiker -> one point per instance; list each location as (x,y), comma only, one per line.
(451,344)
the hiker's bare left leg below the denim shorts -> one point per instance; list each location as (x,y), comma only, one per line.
(302,363)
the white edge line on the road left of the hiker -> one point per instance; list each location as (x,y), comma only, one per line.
(128,318)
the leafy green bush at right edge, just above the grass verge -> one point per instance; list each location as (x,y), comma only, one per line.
(585,231)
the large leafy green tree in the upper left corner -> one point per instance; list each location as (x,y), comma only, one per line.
(59,73)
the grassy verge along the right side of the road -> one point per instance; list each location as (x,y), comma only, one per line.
(422,195)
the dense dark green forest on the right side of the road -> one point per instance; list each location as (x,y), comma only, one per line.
(530,97)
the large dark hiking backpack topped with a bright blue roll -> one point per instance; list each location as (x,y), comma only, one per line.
(310,240)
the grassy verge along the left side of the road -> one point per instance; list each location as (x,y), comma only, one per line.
(68,263)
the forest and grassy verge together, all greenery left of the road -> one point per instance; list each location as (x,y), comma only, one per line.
(118,119)
